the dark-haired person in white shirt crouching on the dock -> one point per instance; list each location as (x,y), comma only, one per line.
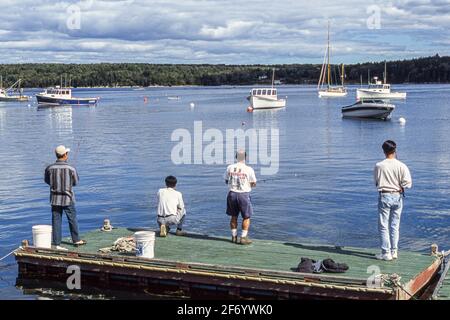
(171,210)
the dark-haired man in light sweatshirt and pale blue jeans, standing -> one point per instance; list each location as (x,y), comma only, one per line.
(391,178)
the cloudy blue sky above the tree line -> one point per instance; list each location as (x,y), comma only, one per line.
(221,31)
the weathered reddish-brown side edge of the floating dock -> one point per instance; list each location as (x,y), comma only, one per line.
(283,285)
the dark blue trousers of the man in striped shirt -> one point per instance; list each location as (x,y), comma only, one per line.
(71,214)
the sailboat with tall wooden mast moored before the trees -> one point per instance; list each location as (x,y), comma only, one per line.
(325,87)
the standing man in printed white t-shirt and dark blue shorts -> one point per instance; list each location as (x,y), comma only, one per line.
(240,179)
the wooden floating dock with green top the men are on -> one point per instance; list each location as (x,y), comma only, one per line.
(206,266)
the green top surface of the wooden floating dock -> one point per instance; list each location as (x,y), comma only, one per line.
(265,254)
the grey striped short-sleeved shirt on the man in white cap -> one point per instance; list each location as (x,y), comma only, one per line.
(61,177)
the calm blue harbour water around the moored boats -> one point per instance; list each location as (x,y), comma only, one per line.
(323,191)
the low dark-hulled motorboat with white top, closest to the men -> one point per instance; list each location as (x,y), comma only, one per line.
(368,109)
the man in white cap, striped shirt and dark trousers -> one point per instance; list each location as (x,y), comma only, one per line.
(62,177)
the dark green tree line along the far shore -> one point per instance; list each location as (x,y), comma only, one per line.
(433,69)
